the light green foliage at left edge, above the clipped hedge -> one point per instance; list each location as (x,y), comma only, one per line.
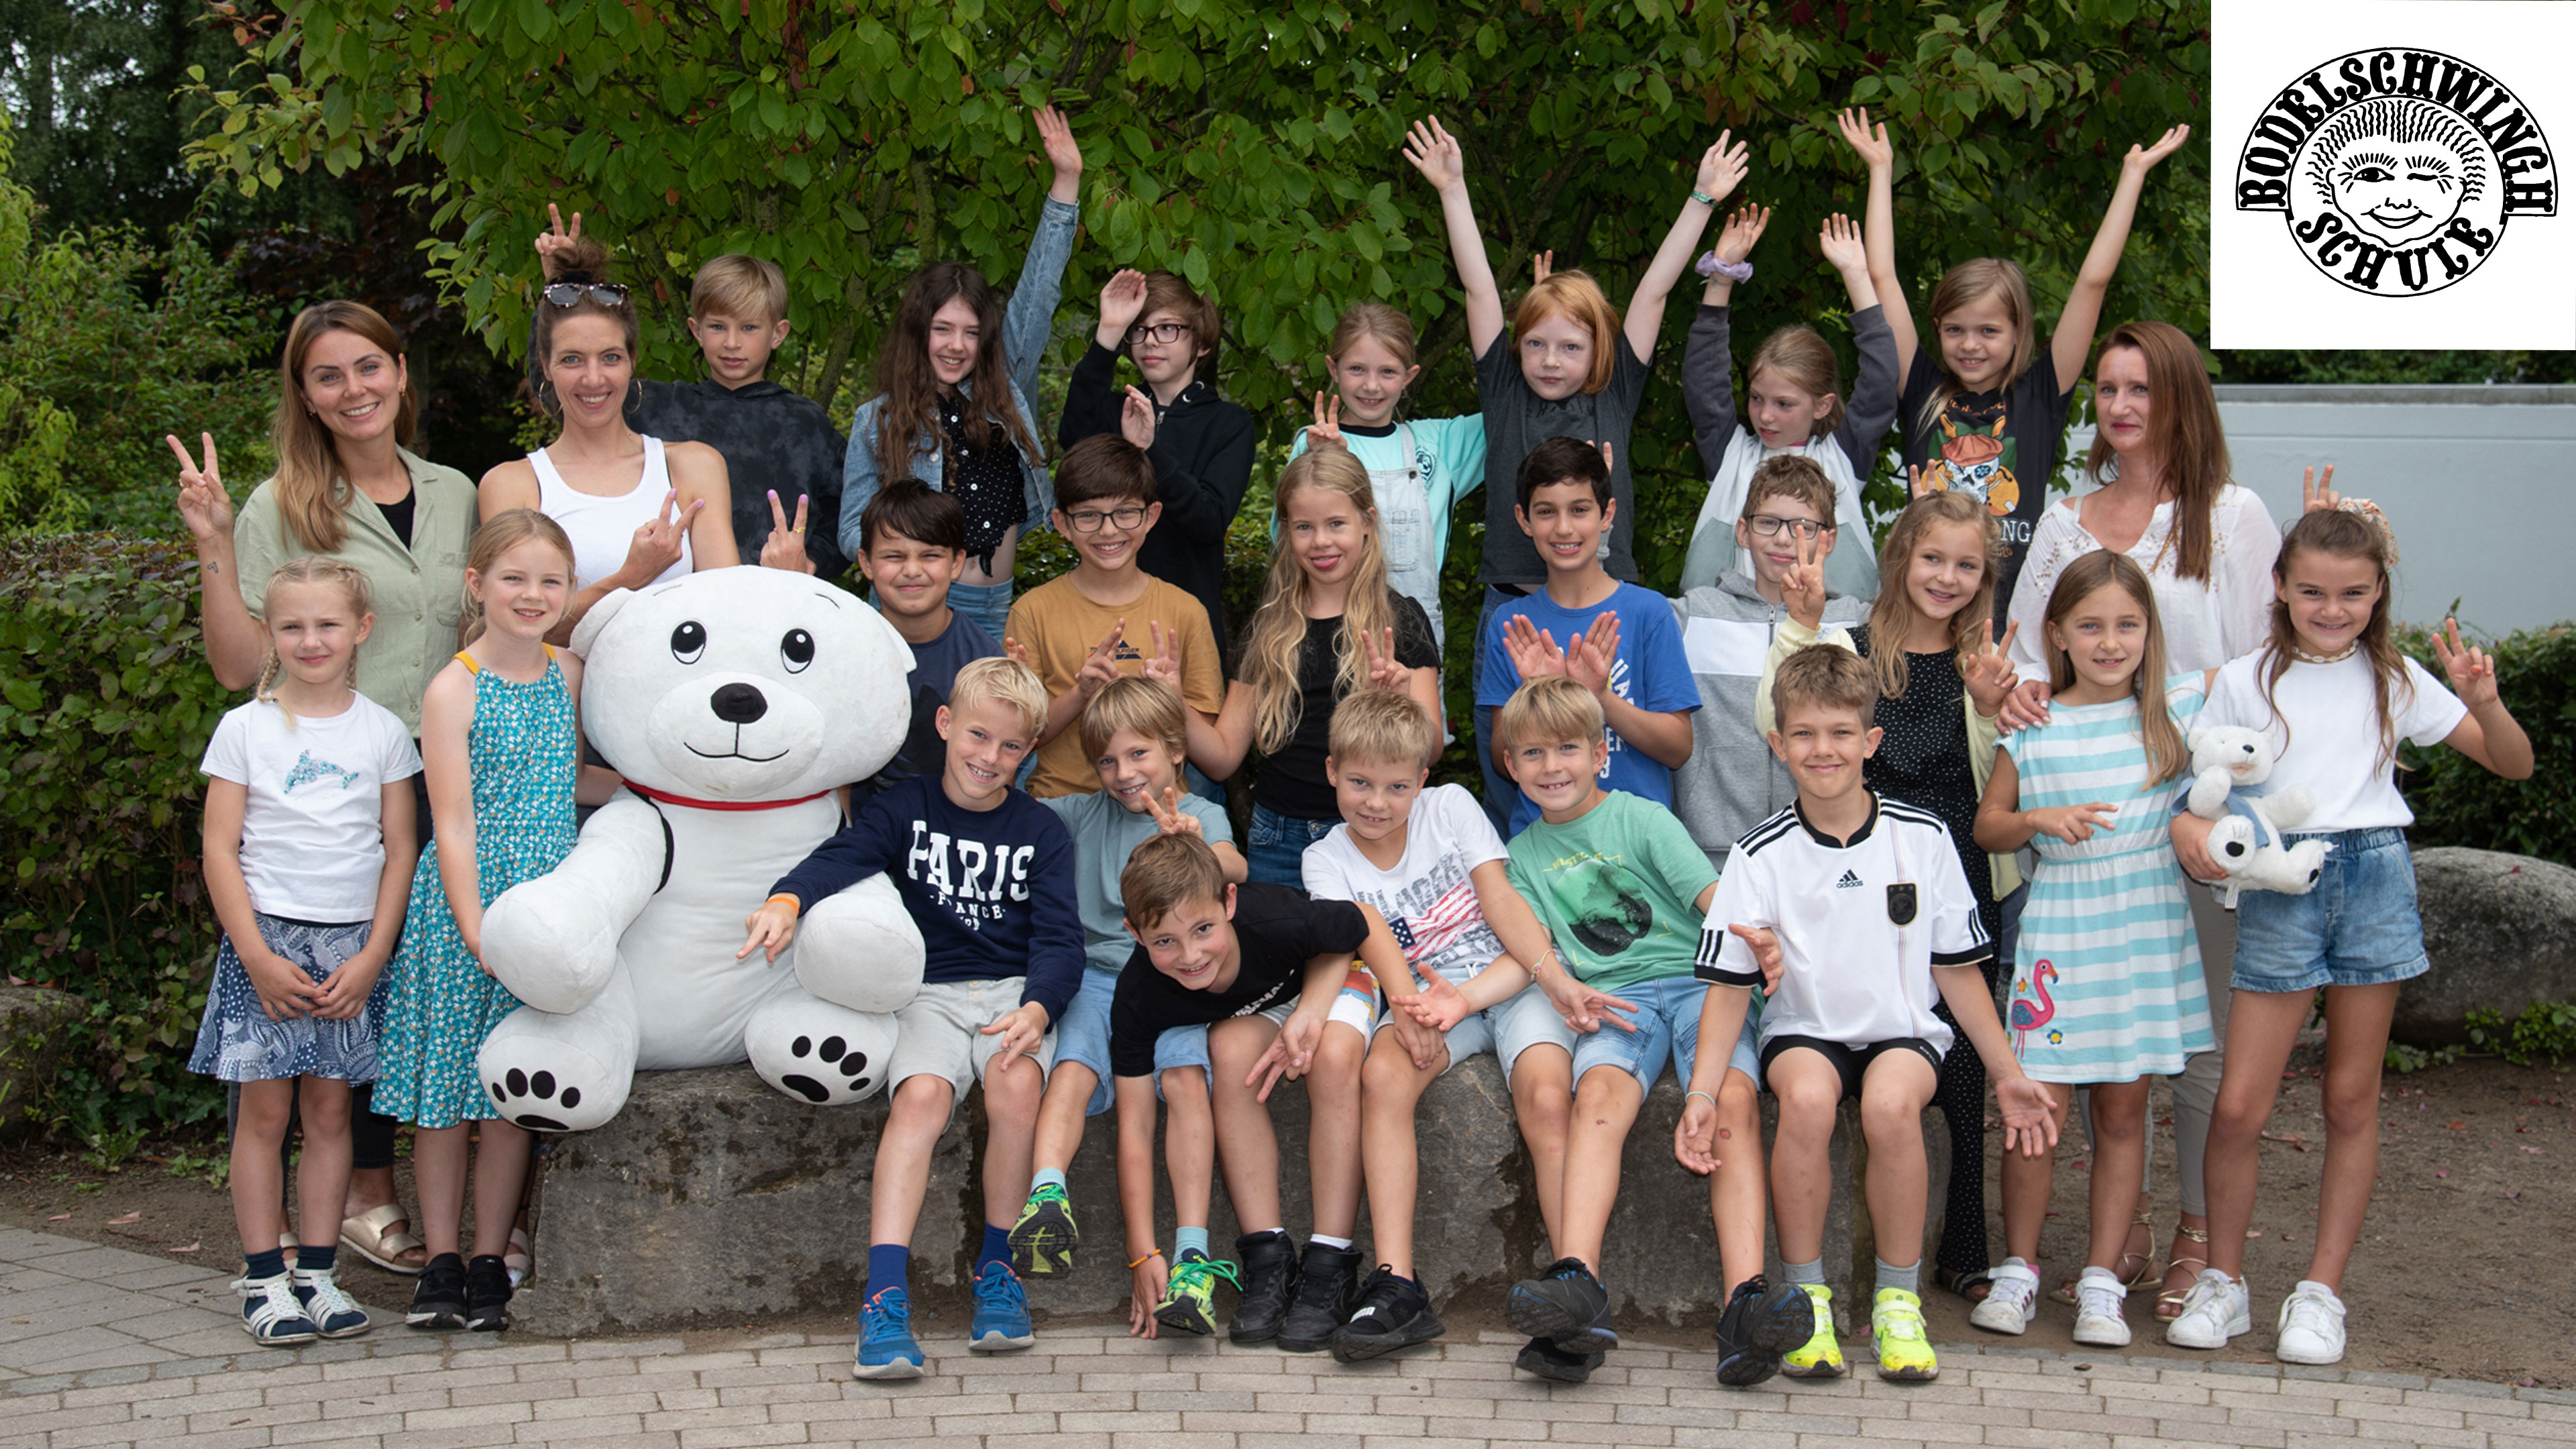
(104,347)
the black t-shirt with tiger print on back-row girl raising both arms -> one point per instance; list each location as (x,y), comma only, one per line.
(1998,445)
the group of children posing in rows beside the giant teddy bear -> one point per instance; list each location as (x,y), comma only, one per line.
(1743,834)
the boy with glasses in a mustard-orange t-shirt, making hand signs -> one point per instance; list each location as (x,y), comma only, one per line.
(1109,618)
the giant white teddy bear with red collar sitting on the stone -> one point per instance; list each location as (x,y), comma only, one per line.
(733,703)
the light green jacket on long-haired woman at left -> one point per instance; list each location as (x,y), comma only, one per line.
(419,592)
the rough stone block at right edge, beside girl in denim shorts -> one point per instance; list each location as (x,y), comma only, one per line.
(2500,932)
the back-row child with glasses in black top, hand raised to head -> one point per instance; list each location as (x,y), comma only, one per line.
(1202,445)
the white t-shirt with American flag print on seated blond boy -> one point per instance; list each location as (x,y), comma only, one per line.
(1428,901)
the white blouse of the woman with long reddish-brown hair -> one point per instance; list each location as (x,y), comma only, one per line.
(2206,623)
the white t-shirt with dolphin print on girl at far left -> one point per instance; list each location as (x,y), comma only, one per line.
(313,834)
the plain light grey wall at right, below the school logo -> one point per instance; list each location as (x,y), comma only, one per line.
(2479,483)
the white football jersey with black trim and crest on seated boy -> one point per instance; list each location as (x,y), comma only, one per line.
(1853,973)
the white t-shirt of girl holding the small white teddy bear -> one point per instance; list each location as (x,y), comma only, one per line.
(2327,734)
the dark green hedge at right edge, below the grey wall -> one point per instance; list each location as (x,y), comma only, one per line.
(2459,803)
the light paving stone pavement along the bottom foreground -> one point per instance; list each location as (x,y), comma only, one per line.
(104,1347)
